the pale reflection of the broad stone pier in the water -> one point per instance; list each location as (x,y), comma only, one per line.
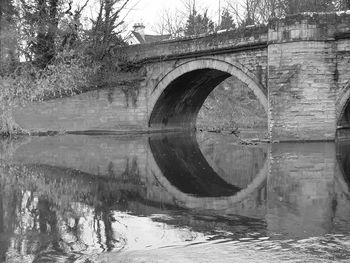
(301,195)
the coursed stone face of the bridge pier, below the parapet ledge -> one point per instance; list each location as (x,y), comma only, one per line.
(301,91)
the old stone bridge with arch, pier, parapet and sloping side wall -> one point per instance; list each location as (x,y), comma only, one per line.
(298,67)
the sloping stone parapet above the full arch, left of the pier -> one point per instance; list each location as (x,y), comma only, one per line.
(212,44)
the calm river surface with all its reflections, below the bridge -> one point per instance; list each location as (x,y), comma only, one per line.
(173,198)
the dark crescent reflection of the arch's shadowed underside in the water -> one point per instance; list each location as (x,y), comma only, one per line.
(184,166)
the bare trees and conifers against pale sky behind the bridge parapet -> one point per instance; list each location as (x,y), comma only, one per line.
(239,14)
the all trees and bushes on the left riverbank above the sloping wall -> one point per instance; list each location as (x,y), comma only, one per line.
(48,50)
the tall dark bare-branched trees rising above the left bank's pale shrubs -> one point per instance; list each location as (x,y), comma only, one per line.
(46,27)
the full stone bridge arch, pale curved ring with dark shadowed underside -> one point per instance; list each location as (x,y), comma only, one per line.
(177,98)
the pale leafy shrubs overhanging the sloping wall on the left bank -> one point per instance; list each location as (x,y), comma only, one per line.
(67,75)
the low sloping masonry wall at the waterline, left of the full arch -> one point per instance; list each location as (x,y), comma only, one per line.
(109,109)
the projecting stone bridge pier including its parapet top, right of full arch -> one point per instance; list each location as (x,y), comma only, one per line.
(304,75)
